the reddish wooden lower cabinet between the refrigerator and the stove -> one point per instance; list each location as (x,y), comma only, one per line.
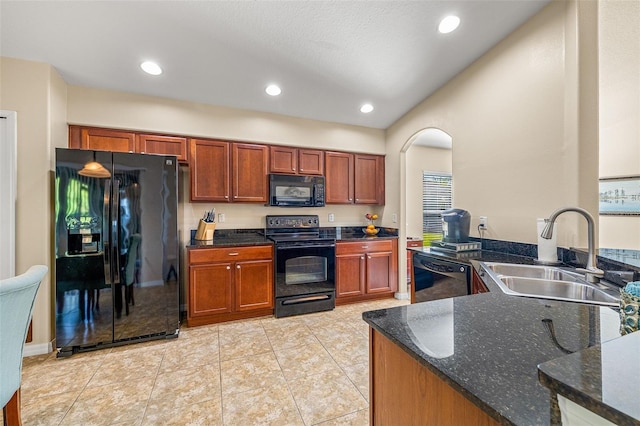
(229,283)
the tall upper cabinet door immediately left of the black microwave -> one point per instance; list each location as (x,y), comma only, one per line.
(250,169)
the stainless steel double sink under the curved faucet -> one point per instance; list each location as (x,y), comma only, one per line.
(548,282)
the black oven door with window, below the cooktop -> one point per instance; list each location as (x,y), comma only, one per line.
(304,268)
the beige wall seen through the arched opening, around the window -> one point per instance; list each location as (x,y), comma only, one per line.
(419,159)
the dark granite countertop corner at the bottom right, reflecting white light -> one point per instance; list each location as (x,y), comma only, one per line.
(601,378)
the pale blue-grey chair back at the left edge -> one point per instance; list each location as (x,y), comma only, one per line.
(17,296)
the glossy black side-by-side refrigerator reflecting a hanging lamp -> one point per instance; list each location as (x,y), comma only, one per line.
(116,249)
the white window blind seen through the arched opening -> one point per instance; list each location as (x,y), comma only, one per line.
(436,197)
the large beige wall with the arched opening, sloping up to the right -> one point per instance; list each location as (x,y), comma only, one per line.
(520,148)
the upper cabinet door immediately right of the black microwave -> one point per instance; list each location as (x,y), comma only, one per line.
(339,178)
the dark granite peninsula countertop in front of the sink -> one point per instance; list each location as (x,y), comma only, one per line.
(488,346)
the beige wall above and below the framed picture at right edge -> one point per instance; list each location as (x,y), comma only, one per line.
(619,29)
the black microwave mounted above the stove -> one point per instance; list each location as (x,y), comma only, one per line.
(296,191)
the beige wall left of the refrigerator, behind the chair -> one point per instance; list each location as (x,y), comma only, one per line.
(38,94)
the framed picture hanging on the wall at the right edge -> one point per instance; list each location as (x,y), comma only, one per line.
(620,195)
